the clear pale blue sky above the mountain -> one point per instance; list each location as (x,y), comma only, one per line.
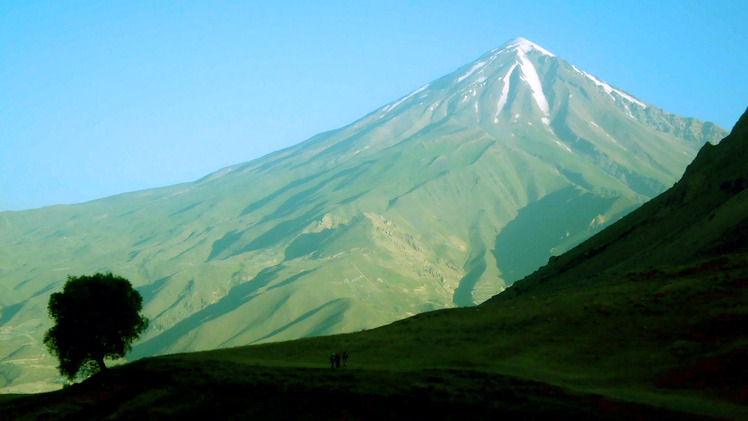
(104,97)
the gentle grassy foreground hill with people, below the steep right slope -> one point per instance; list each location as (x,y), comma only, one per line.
(636,351)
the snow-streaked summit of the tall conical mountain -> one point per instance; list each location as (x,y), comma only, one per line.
(520,78)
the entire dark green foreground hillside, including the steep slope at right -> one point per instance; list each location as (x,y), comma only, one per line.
(664,342)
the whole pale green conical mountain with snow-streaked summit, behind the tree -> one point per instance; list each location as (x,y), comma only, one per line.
(438,199)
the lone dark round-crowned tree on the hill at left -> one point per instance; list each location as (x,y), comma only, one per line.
(96,317)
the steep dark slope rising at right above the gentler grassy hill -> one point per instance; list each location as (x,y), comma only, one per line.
(703,216)
